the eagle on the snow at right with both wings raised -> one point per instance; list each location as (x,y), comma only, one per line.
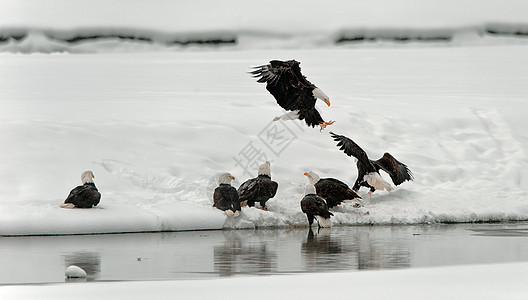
(368,170)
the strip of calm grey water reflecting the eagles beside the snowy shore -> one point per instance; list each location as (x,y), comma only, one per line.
(206,254)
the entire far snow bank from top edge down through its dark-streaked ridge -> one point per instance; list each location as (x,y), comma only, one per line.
(135,26)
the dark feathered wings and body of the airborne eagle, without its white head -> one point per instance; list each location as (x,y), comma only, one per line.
(285,82)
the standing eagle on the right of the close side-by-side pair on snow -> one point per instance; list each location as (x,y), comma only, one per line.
(259,189)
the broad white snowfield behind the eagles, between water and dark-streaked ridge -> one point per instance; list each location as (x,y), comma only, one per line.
(156,128)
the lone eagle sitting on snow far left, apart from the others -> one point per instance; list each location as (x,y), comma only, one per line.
(83,196)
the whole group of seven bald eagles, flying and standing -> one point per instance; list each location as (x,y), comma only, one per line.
(296,94)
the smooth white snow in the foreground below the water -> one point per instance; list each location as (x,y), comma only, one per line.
(503,281)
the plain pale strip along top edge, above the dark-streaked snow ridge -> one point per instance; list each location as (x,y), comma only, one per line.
(184,15)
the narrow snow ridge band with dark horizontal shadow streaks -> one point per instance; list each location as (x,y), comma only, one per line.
(97,40)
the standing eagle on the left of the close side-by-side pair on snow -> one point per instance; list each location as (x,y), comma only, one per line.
(225,197)
